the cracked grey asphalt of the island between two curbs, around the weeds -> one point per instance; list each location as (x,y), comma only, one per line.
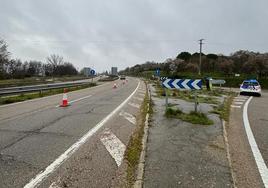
(180,154)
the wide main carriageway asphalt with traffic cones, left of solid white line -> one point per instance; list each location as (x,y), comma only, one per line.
(34,133)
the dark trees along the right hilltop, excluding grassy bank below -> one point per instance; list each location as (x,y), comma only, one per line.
(240,62)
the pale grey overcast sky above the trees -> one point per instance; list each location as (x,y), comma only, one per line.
(122,33)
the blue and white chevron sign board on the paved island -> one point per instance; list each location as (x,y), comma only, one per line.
(182,84)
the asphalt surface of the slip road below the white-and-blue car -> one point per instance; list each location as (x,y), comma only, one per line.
(245,169)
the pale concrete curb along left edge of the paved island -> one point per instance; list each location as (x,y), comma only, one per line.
(140,171)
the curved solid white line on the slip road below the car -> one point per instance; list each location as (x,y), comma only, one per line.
(254,147)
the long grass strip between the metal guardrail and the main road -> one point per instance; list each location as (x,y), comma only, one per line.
(28,96)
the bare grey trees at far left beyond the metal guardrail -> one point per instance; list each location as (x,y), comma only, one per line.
(55,65)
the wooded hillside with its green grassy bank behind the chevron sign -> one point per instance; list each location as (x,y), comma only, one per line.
(233,68)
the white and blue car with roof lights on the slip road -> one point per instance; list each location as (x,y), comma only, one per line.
(250,87)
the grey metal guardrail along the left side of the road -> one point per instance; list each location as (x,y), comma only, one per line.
(40,88)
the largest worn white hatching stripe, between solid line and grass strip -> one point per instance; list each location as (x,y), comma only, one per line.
(114,146)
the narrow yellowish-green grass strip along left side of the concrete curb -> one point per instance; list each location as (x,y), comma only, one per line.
(134,148)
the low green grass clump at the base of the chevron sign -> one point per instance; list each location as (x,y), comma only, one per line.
(192,117)
